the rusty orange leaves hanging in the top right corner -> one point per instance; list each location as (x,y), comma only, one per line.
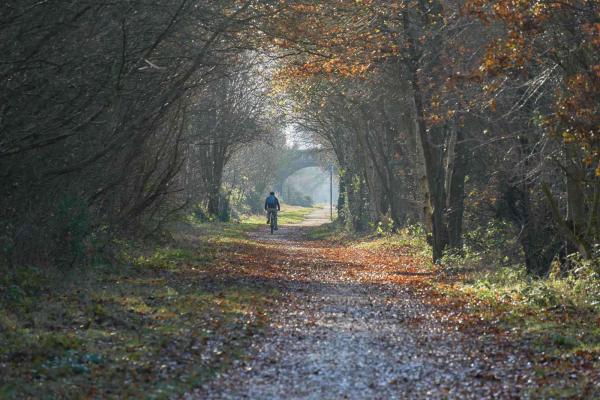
(563,35)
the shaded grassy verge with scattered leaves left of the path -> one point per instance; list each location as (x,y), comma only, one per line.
(152,327)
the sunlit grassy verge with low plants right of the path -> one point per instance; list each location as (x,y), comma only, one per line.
(556,319)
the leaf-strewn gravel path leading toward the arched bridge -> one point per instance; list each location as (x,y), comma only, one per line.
(343,330)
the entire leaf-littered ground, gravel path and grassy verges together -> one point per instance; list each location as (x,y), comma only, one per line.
(228,311)
